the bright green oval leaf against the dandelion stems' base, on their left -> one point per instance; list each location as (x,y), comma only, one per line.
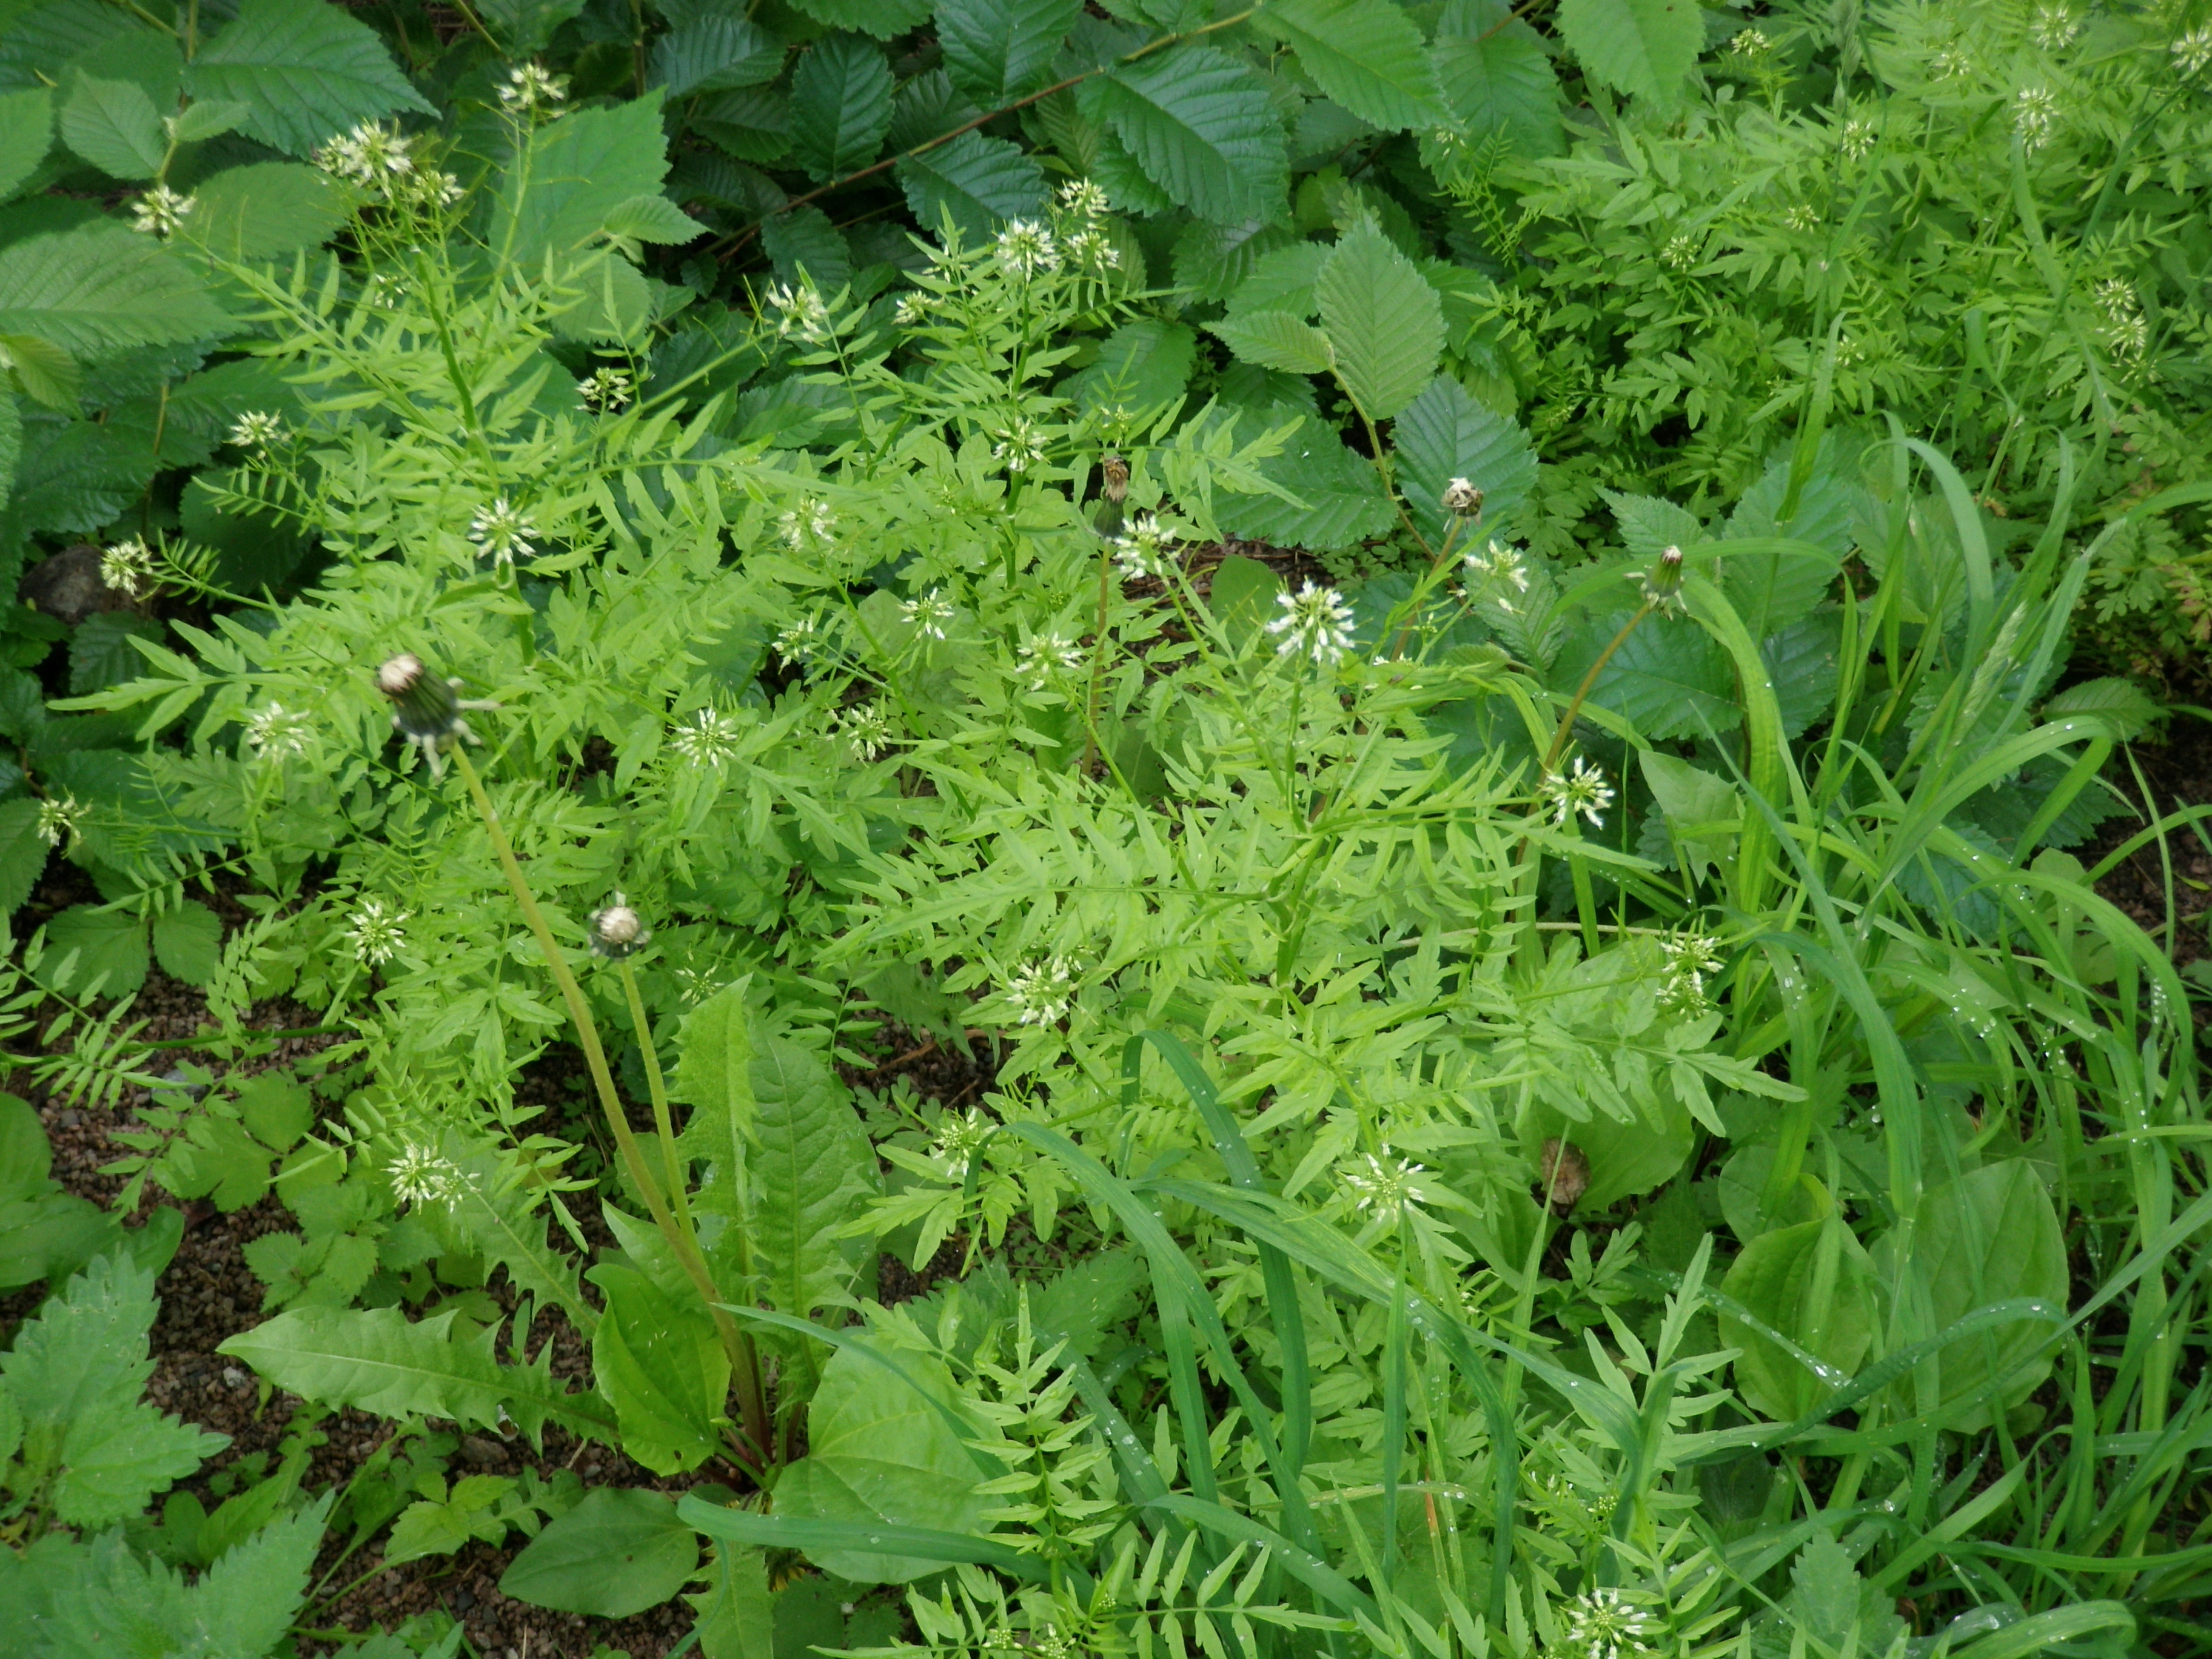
(662,1368)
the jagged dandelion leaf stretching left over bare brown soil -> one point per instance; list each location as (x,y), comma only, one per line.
(386,1364)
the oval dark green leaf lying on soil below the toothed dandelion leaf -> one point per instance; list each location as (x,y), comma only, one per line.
(616,1554)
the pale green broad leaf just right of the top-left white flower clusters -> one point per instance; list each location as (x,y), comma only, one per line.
(583,169)
